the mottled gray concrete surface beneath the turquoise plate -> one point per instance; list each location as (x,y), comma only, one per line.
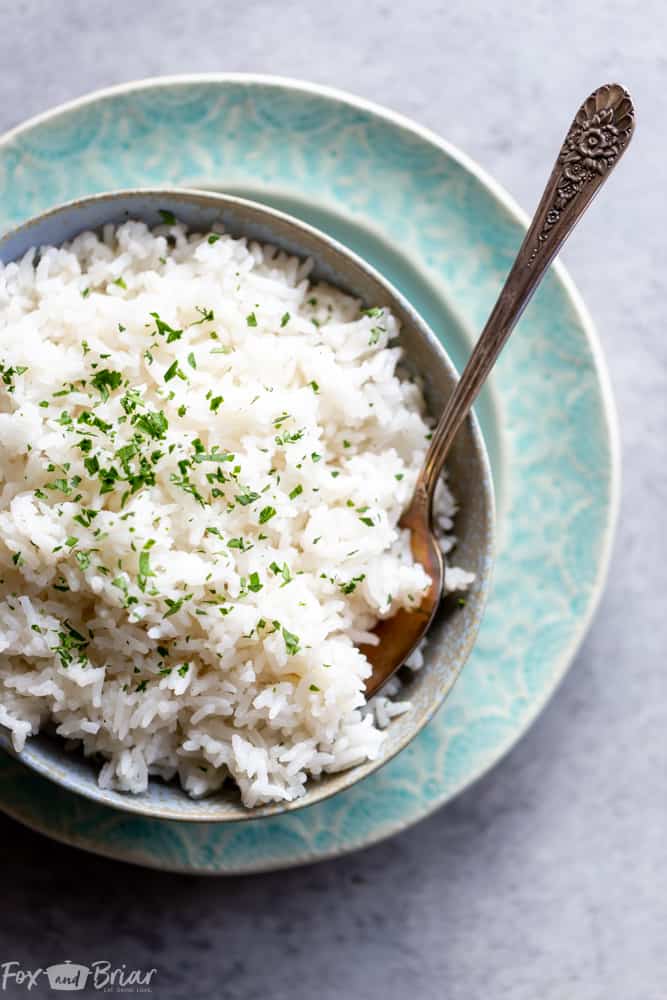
(549,878)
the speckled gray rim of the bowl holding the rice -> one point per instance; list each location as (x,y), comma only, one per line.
(34,756)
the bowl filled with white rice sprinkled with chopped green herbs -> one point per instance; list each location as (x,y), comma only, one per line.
(212,418)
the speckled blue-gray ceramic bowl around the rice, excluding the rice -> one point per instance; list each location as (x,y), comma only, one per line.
(454,630)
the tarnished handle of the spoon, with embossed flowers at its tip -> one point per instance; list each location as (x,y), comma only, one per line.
(593,146)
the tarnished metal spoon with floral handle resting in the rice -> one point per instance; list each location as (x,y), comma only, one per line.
(594,144)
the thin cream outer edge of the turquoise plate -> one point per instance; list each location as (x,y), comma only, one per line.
(516,214)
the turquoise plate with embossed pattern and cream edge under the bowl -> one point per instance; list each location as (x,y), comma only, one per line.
(445,234)
